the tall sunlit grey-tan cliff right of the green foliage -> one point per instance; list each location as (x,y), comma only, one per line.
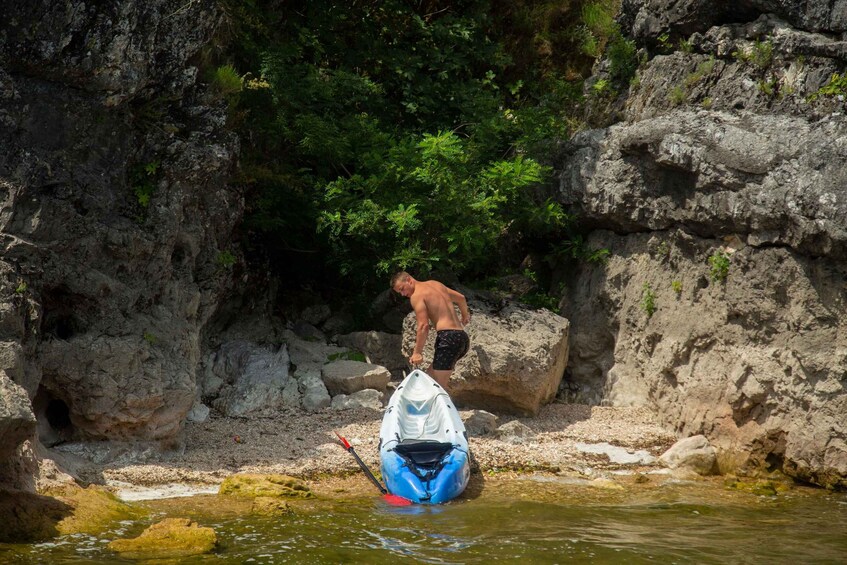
(723,201)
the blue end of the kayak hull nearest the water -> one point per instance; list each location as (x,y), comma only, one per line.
(447,484)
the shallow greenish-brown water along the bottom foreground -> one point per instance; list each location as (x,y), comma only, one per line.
(525,521)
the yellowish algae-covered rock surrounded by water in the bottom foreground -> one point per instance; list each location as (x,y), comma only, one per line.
(173,537)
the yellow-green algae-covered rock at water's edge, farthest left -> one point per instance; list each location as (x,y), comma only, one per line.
(93,509)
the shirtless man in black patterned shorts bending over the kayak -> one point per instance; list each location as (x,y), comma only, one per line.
(432,301)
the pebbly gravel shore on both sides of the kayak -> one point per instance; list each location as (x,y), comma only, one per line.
(565,439)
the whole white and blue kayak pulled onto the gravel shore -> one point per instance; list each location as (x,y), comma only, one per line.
(423,446)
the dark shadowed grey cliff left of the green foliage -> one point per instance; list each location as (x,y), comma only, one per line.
(113,167)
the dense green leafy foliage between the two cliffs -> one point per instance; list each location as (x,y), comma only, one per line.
(393,134)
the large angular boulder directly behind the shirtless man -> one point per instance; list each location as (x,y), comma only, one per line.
(516,359)
